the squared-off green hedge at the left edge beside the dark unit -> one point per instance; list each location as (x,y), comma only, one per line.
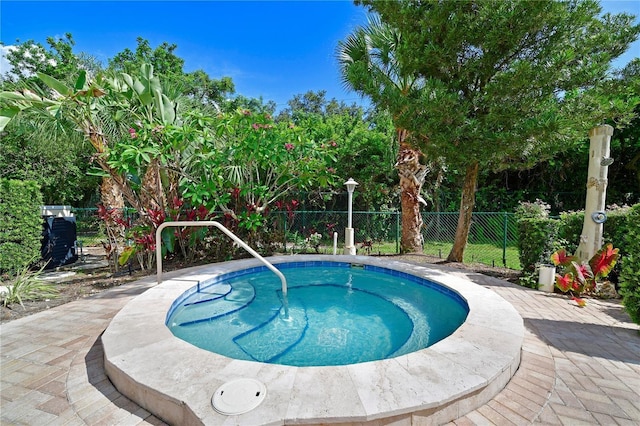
(20,224)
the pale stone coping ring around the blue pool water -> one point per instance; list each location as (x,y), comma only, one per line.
(176,380)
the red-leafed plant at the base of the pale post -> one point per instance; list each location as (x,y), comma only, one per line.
(576,278)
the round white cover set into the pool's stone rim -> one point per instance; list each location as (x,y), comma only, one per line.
(238,396)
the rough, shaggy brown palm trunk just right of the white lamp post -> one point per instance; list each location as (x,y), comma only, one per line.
(412,175)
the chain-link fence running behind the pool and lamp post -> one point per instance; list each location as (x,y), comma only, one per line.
(492,238)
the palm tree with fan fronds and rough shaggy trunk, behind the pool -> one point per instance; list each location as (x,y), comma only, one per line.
(368,65)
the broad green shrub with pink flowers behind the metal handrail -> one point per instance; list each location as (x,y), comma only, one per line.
(243,162)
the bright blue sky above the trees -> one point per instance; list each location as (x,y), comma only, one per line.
(270,49)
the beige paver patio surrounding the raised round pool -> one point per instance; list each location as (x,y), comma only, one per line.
(579,365)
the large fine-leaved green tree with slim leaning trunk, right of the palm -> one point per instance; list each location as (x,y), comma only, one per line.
(507,83)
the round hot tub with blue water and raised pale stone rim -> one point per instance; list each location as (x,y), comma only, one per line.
(450,376)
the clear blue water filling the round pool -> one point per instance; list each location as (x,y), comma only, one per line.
(337,314)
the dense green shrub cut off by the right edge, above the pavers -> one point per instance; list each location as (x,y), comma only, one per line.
(630,274)
